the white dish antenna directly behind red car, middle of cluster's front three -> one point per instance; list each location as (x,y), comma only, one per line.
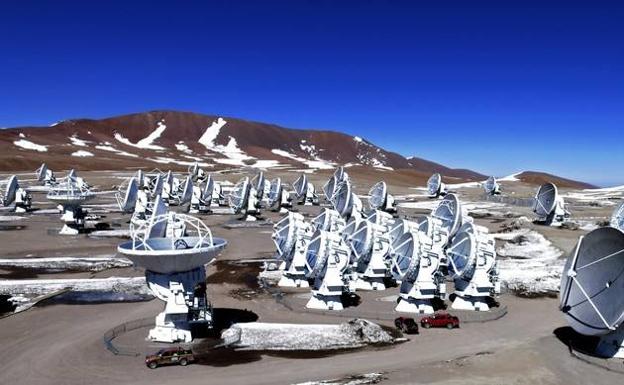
(415,263)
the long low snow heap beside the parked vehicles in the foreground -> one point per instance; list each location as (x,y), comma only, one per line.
(275,336)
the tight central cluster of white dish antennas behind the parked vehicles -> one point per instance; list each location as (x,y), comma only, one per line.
(347,248)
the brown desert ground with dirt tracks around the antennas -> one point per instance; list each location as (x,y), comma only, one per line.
(61,342)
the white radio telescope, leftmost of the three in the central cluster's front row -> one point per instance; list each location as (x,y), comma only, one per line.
(327,258)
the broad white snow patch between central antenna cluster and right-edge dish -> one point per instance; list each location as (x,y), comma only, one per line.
(529,264)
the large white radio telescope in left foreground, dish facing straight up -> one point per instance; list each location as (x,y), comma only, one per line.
(175,273)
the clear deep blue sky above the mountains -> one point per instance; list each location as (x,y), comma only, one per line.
(494,86)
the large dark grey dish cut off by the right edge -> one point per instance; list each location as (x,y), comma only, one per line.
(592,284)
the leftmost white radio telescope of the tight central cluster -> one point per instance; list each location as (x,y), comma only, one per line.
(291,236)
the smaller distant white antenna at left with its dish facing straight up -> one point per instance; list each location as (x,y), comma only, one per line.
(70,193)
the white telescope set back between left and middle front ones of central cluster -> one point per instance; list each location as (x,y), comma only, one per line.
(370,243)
